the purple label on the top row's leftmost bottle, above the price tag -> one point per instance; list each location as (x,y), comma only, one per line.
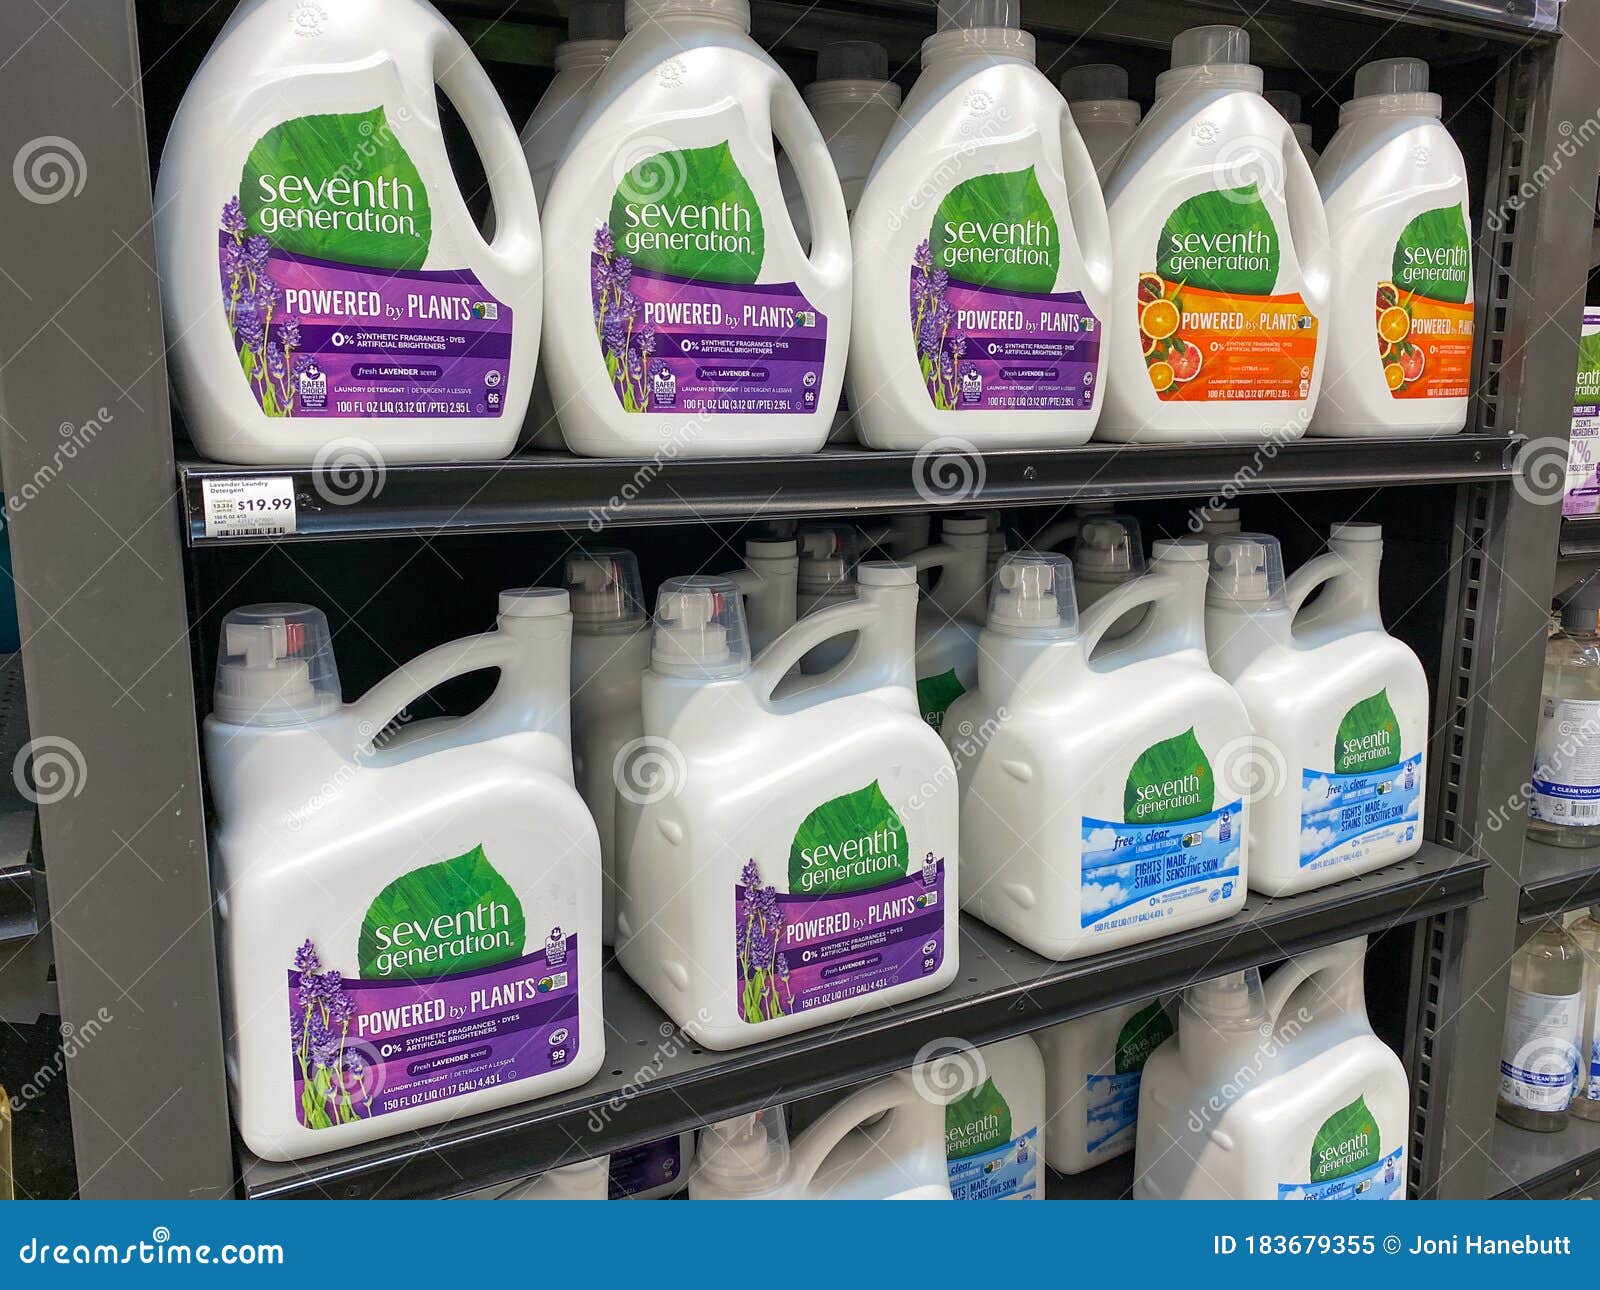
(318,339)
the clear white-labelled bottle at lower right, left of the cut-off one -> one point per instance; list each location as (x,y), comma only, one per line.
(1543,1024)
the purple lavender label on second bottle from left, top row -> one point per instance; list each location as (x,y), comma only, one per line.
(674,345)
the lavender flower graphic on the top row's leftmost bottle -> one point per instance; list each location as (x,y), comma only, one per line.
(266,337)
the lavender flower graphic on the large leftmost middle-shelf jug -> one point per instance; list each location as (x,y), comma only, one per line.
(335,1086)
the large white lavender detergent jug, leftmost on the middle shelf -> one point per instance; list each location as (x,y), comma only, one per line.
(388,913)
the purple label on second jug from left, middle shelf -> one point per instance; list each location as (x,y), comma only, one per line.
(839,947)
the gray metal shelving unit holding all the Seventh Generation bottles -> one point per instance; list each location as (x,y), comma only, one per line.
(108,535)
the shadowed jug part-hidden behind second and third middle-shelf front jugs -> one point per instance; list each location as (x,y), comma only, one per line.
(951,617)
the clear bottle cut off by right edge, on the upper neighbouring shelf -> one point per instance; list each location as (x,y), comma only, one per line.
(1564,807)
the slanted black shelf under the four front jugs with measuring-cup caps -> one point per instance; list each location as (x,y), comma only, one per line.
(657,1083)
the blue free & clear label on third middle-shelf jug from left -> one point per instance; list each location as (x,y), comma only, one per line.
(1142,873)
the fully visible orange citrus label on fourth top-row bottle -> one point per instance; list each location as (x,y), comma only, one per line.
(1210,347)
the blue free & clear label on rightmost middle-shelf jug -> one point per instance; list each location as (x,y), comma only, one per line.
(1350,817)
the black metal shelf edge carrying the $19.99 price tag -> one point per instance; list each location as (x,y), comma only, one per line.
(558,491)
